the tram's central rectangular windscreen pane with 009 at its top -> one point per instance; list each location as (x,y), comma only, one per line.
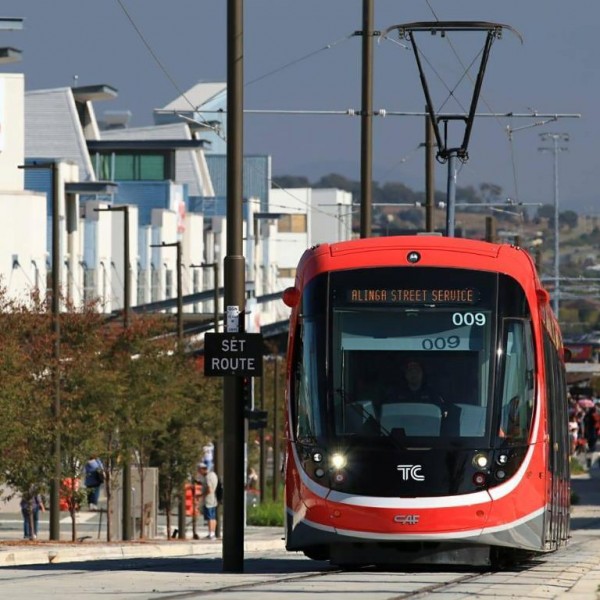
(412,373)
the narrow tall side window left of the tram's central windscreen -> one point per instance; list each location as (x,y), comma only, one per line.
(308,416)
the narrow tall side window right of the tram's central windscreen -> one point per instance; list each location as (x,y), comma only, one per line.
(518,381)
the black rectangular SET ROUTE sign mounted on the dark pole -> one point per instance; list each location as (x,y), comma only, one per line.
(233,354)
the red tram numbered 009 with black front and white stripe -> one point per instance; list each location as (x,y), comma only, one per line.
(473,471)
